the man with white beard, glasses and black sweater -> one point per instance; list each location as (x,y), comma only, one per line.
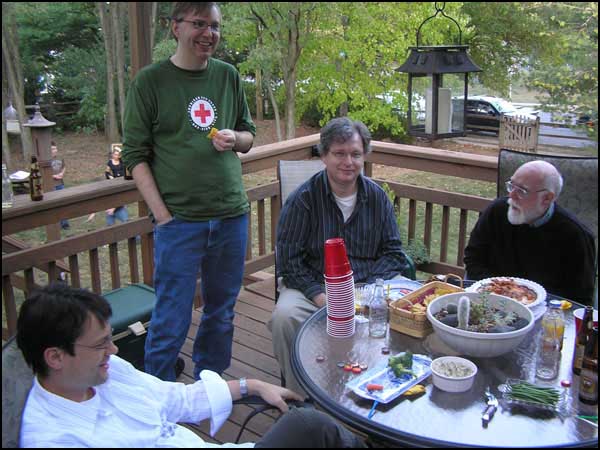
(528,235)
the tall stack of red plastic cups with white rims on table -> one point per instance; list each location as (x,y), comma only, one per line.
(339,289)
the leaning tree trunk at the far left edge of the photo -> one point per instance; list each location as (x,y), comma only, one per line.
(12,60)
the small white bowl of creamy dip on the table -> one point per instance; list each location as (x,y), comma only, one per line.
(453,374)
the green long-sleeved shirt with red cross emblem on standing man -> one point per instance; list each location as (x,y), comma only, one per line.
(168,116)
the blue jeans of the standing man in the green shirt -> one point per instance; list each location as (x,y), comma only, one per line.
(216,249)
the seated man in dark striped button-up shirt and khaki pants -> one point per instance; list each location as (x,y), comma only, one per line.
(336,202)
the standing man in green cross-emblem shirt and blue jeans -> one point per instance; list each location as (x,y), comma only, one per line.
(185,120)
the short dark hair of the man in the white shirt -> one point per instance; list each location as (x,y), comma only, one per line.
(55,316)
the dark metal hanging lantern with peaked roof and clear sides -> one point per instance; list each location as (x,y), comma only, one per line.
(438,78)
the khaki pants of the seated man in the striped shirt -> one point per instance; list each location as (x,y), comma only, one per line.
(291,311)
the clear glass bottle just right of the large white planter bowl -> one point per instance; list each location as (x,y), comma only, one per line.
(549,348)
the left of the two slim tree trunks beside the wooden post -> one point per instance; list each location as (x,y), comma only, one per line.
(112,132)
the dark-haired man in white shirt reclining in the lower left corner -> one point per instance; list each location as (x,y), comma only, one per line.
(83,395)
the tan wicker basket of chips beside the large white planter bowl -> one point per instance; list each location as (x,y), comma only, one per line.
(417,324)
